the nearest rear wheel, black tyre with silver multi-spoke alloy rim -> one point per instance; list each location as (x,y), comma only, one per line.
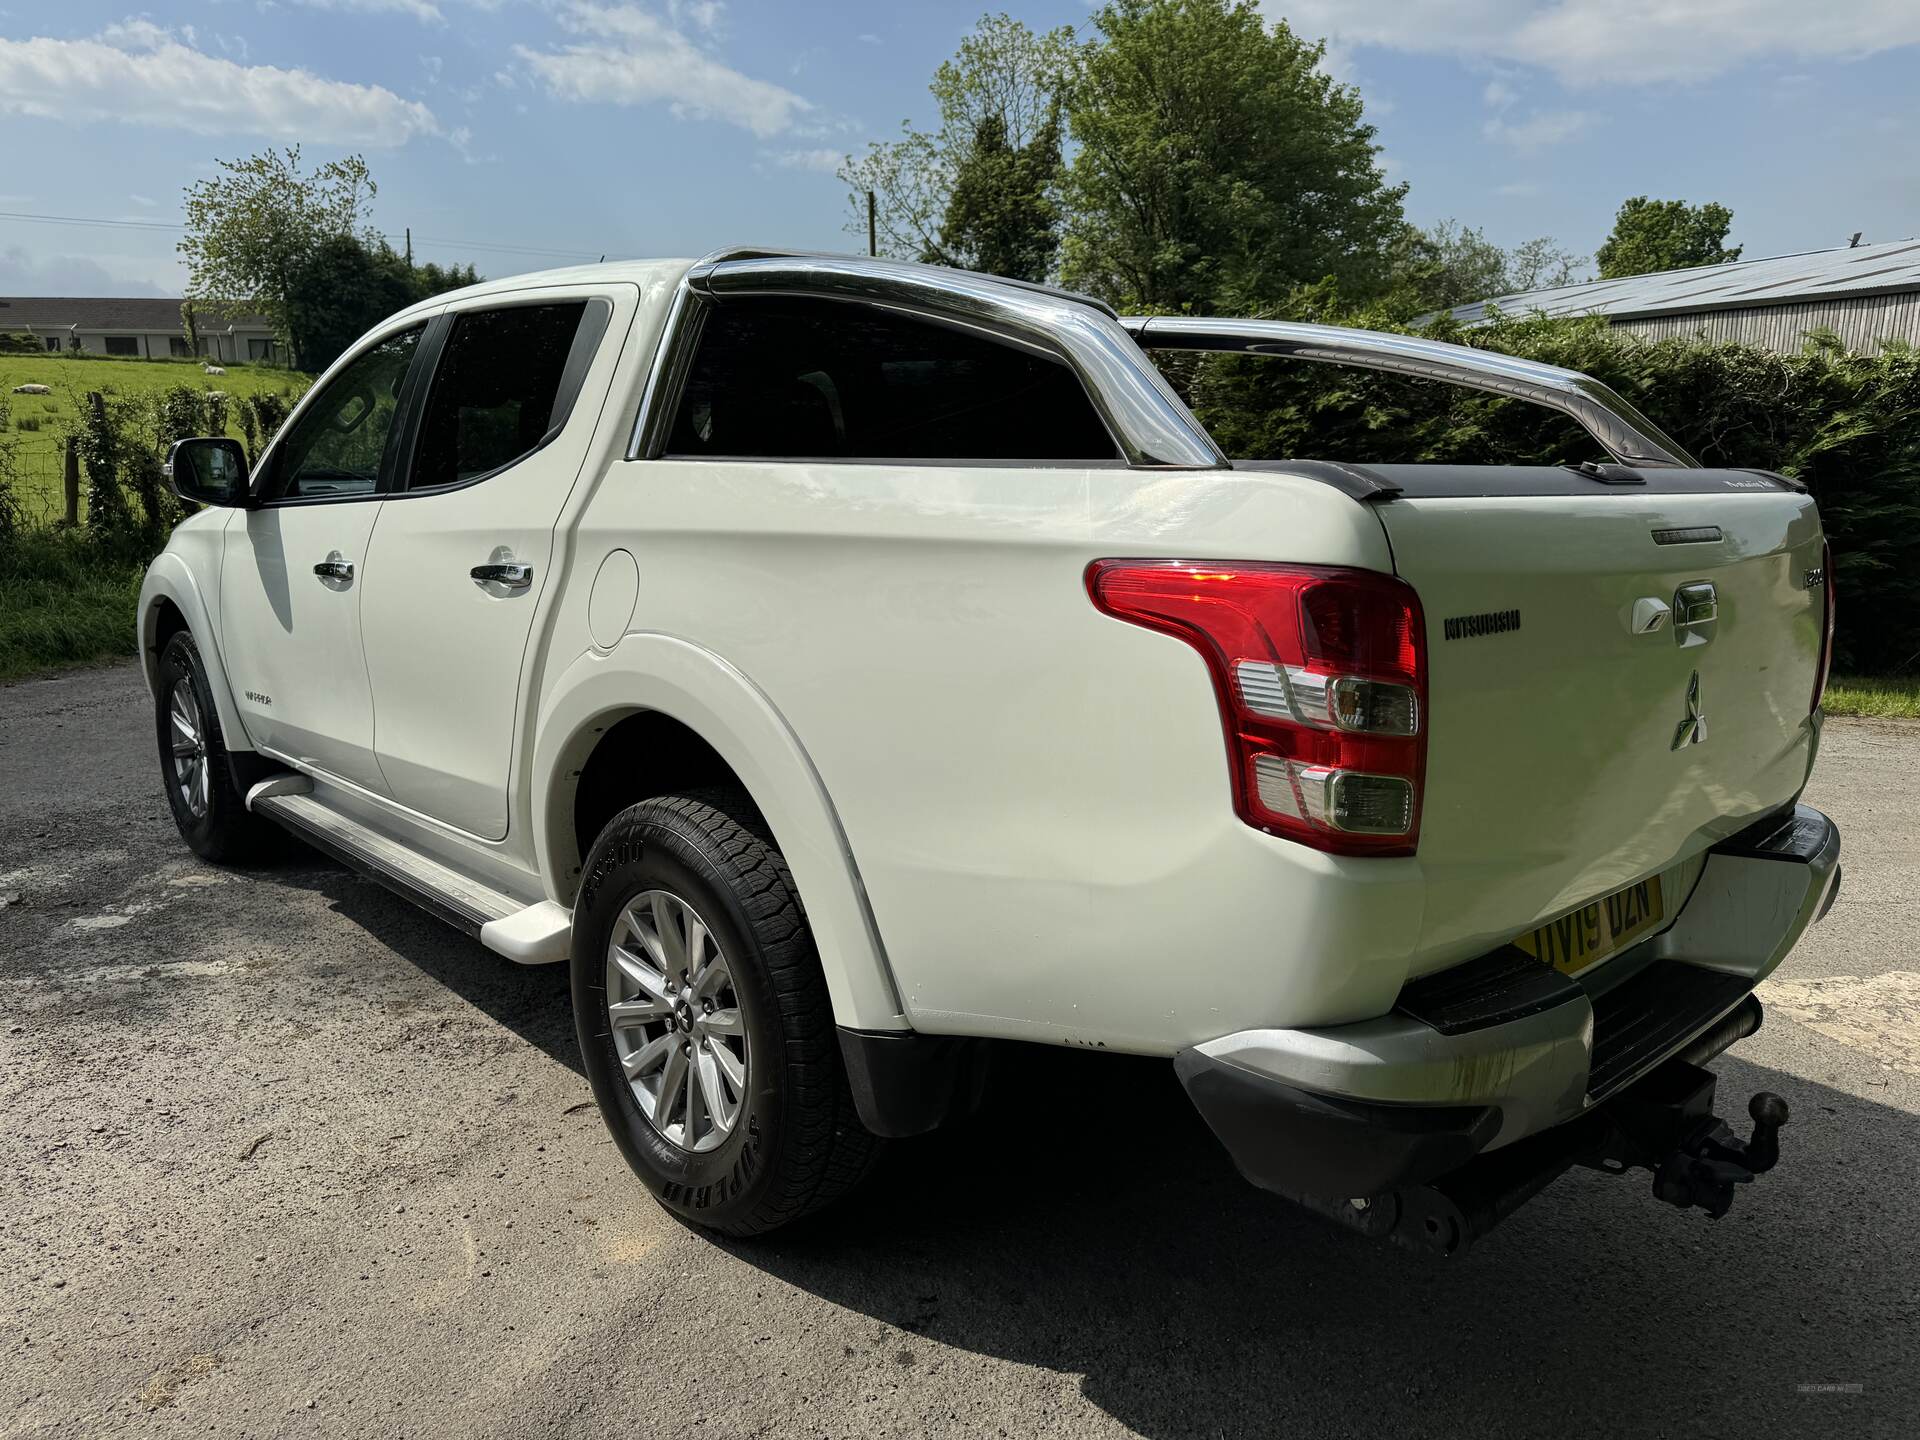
(706,1022)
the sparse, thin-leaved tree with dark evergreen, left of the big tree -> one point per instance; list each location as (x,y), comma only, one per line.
(982,191)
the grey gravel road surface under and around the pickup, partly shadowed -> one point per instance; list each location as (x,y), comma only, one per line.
(285,1157)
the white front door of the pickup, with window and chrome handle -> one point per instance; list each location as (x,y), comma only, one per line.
(297,565)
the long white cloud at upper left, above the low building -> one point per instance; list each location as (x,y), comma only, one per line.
(143,76)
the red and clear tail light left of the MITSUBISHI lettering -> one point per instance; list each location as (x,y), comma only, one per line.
(1322,684)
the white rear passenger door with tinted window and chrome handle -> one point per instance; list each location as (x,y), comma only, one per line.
(466,548)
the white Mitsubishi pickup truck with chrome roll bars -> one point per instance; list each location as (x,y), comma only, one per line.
(853,667)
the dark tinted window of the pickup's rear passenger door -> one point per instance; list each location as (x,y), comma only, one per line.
(496,393)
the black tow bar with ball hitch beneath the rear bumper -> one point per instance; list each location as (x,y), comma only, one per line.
(1664,1124)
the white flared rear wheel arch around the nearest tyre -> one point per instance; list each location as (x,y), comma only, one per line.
(665,686)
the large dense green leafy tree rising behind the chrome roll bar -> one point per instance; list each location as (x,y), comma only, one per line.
(1218,164)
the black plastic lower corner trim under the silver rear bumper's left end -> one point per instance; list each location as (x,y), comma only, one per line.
(1299,1143)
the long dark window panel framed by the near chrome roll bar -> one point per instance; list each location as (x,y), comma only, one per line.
(830,379)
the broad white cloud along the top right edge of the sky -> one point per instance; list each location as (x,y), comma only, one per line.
(1614,43)
